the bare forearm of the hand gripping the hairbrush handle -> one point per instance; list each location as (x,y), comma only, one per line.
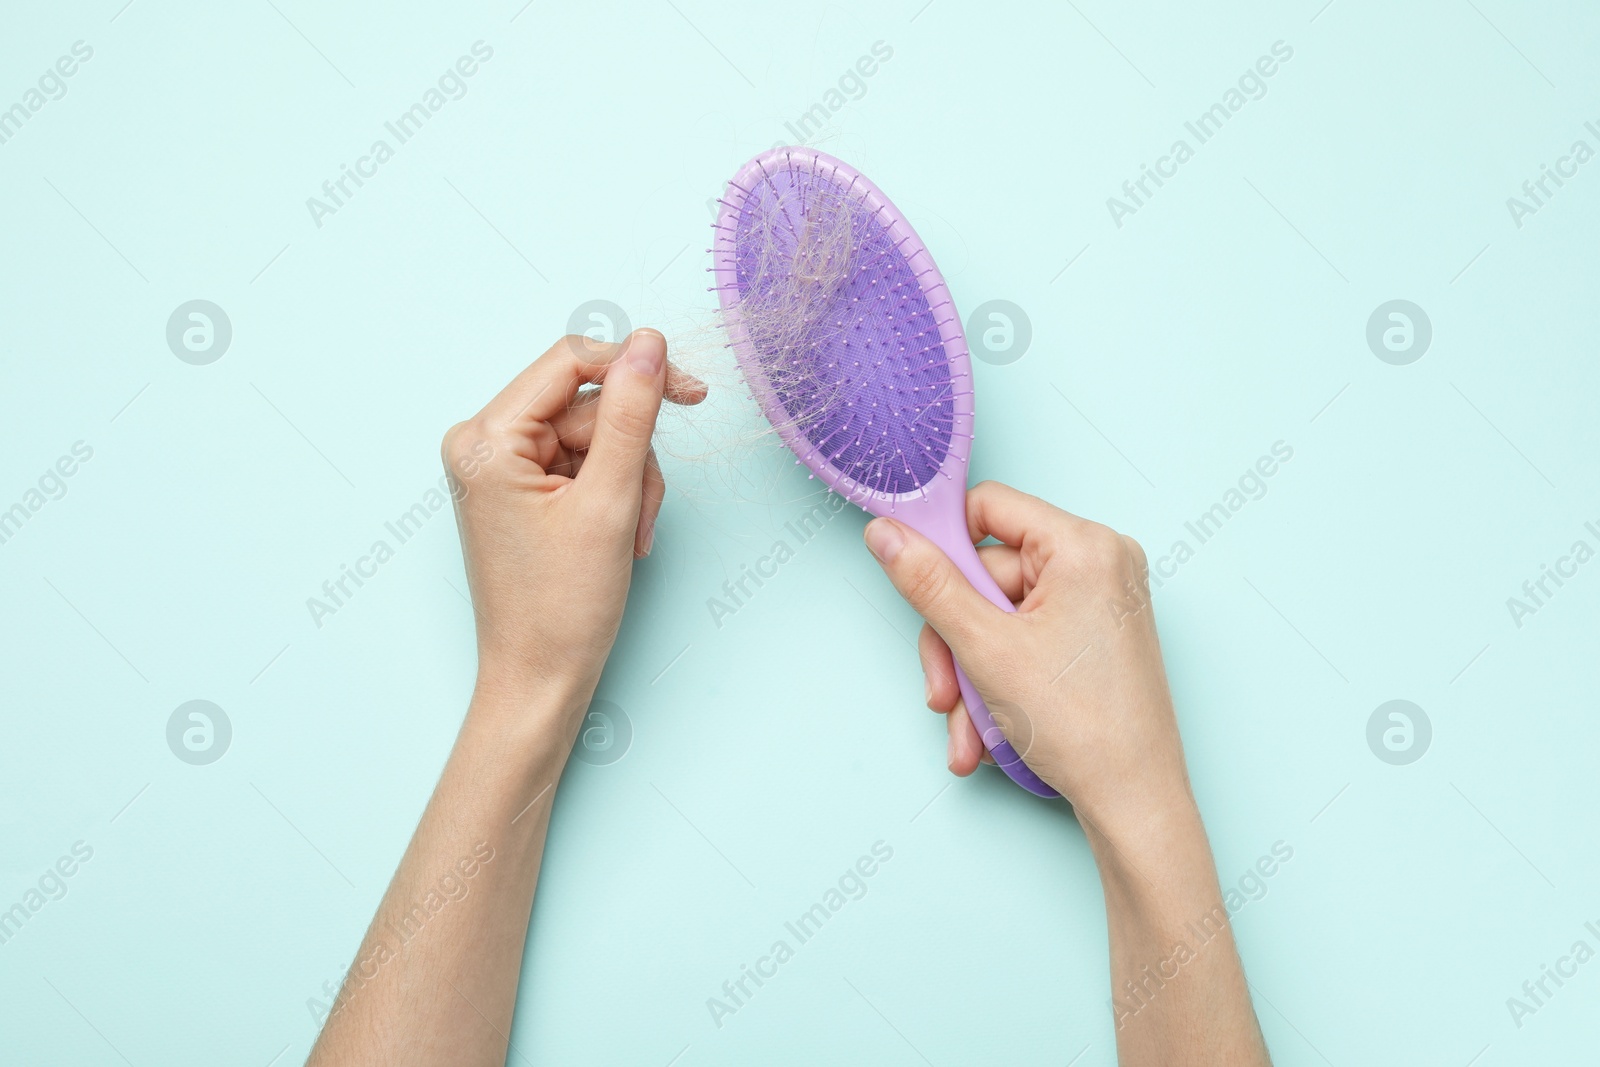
(1178,988)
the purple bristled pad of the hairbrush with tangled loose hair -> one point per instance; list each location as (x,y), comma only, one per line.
(838,327)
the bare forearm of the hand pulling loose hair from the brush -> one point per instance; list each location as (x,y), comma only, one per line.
(436,977)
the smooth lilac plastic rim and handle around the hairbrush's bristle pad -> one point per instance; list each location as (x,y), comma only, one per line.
(942,516)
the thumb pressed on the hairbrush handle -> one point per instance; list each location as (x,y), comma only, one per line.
(930,583)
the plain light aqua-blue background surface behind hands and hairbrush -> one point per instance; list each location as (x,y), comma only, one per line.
(772,751)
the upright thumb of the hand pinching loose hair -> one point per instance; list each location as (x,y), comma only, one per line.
(630,404)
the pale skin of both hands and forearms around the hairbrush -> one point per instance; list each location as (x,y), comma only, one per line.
(558,497)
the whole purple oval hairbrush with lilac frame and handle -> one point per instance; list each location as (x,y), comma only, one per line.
(854,350)
